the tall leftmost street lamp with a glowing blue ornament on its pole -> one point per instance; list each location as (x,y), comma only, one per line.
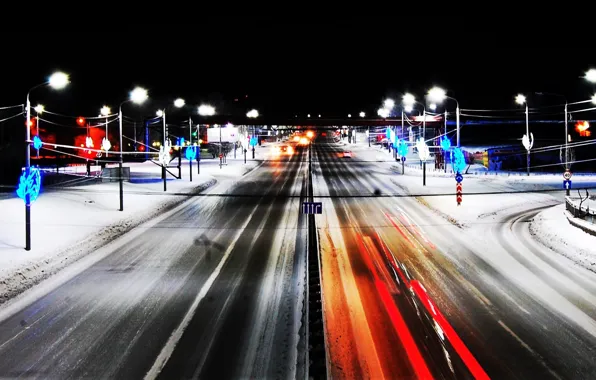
(57,81)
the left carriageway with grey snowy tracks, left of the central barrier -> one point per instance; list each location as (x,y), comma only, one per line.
(213,289)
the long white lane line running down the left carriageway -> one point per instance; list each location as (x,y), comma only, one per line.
(168,348)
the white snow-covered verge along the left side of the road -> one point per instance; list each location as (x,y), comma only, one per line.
(70,222)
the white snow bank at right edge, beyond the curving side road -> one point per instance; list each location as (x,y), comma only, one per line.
(551,228)
